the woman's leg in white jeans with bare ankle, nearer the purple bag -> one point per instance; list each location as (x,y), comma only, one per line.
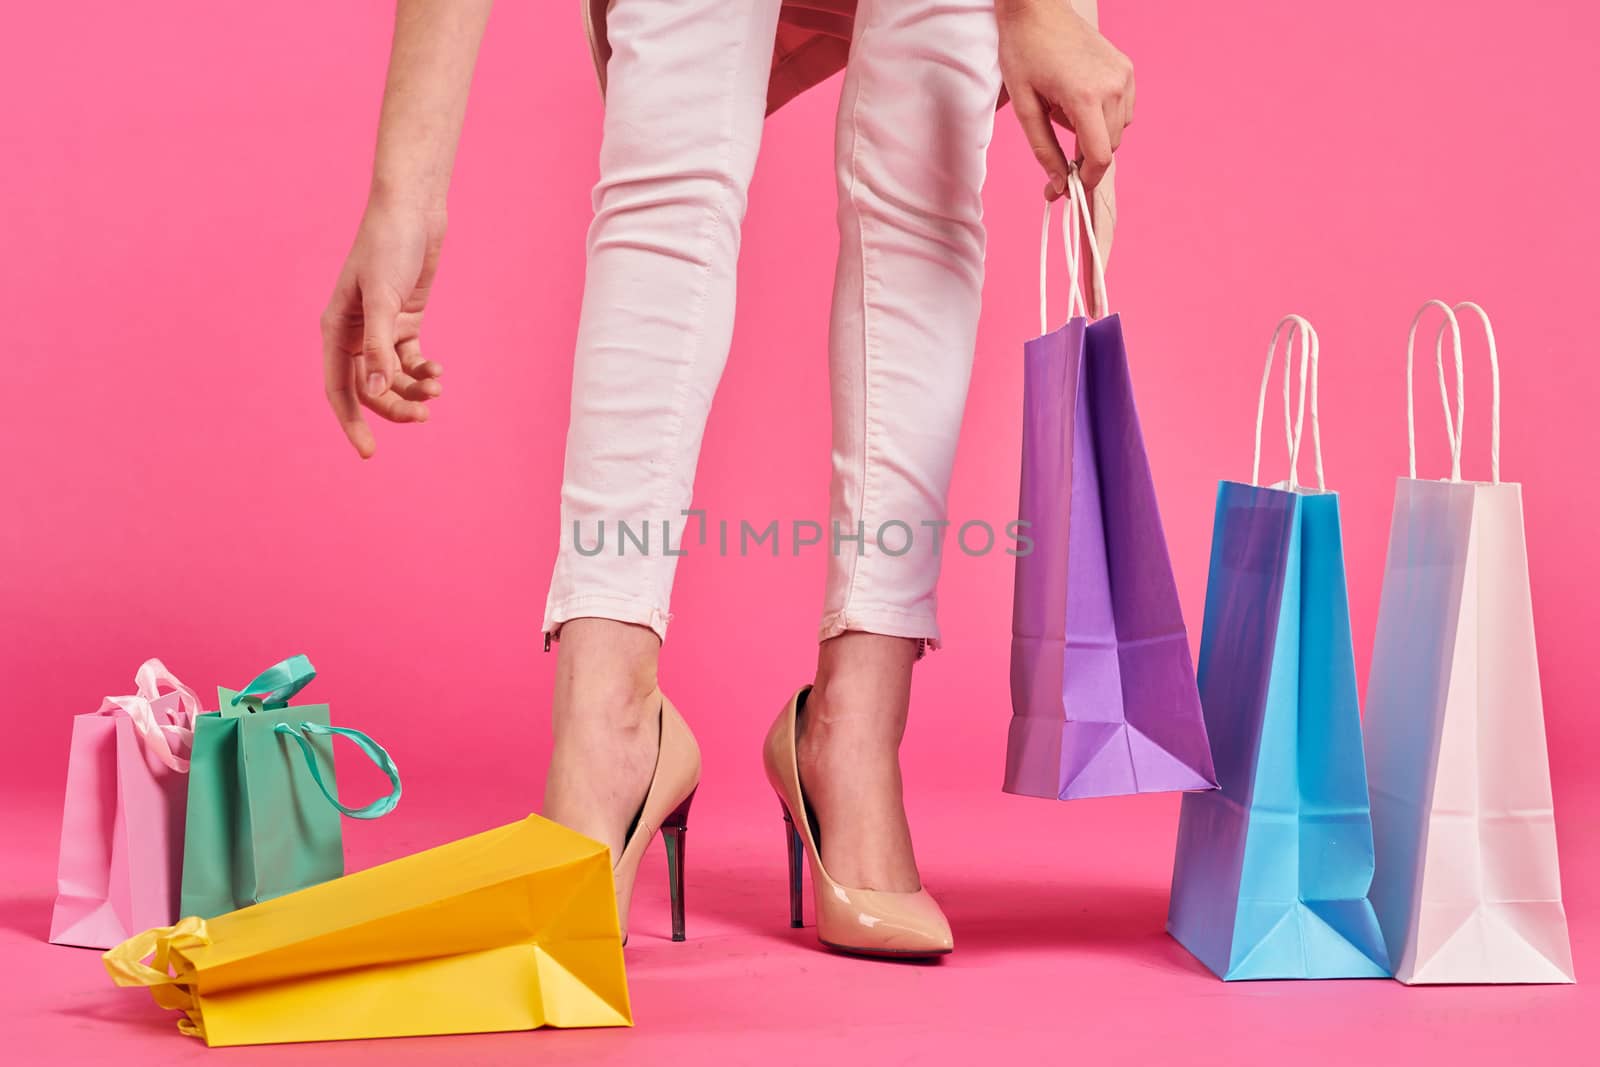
(914,127)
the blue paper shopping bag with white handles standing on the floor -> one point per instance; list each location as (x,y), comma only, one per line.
(1273,871)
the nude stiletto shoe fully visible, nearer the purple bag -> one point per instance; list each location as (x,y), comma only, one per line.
(860,922)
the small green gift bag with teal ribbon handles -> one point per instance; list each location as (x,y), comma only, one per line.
(263,802)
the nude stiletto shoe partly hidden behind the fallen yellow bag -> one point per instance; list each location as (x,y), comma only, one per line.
(668,810)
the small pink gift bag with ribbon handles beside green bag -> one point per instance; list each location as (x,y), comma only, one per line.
(122,829)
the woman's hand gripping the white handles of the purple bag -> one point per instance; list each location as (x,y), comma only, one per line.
(1058,68)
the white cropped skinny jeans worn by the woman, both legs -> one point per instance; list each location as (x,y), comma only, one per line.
(686,105)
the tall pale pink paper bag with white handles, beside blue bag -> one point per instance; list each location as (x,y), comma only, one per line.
(1468,885)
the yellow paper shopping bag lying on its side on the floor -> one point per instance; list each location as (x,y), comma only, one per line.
(508,930)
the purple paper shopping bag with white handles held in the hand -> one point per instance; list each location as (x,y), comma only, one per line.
(1103,682)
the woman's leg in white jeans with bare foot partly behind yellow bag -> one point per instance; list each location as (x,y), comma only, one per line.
(686,100)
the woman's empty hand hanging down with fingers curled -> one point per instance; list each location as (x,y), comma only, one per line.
(370,330)
